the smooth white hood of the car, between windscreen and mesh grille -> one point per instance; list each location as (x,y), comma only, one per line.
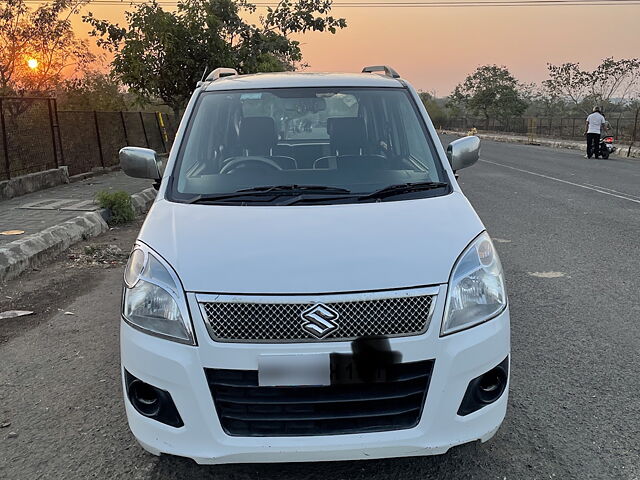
(312,249)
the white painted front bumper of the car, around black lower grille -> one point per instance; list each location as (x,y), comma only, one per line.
(179,369)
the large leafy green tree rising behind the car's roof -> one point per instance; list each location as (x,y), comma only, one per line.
(163,54)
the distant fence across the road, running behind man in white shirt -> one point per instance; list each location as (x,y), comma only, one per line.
(569,128)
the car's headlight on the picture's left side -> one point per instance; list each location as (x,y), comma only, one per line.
(153,299)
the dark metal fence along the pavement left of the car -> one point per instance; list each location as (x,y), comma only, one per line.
(36,136)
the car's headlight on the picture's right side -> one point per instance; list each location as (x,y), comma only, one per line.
(476,290)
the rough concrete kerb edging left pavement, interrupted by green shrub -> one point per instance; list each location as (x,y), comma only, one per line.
(33,250)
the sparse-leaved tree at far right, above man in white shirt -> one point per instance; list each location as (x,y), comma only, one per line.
(609,84)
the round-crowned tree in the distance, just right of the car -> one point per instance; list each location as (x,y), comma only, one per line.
(491,91)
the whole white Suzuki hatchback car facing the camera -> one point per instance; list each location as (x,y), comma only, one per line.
(311,283)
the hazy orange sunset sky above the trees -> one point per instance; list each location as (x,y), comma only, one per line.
(435,48)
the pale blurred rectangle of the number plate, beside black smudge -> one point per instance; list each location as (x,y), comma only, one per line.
(294,370)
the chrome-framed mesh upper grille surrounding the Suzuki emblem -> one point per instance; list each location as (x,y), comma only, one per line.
(268,319)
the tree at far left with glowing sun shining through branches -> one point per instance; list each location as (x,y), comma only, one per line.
(38,47)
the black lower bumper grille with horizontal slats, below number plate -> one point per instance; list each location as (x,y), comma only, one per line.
(248,410)
